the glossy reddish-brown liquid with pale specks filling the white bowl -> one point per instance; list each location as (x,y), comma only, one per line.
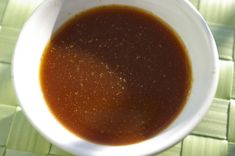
(115,75)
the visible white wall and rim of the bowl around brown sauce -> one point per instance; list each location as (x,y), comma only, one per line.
(180,14)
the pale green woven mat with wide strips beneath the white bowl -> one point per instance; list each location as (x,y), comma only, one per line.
(214,136)
